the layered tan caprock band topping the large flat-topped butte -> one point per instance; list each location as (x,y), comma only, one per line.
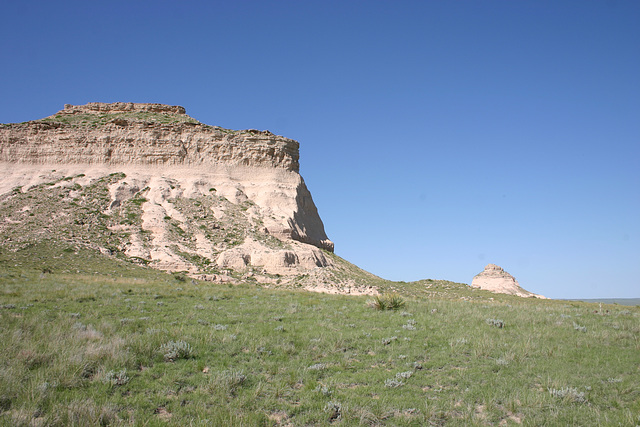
(140,134)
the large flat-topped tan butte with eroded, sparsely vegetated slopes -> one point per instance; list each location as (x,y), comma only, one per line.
(176,193)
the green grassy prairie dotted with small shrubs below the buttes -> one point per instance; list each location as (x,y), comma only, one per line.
(98,342)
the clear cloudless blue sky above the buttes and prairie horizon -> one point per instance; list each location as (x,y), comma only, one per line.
(436,136)
